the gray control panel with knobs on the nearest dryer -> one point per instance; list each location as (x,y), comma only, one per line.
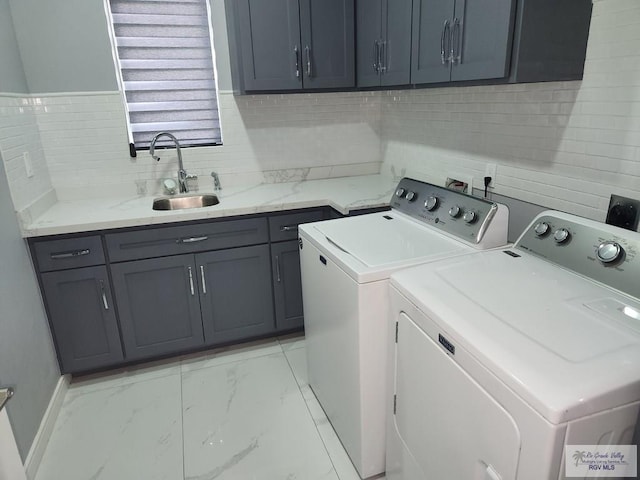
(602,252)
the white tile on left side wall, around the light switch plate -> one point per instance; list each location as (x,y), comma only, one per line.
(18,134)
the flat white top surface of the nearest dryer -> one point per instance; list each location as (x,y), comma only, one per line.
(568,346)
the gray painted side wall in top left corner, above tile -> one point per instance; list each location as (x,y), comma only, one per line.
(12,77)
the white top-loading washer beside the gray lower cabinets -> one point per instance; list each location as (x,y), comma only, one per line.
(346,265)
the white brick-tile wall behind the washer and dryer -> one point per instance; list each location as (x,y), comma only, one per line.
(564,145)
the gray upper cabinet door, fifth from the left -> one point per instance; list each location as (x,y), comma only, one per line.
(432,40)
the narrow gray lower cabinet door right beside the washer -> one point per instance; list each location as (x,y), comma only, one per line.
(287,286)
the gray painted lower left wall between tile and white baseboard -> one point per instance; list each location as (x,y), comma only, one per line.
(27,359)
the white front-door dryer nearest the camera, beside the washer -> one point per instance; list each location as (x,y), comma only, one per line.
(504,357)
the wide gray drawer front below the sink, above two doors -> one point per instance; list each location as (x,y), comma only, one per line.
(159,242)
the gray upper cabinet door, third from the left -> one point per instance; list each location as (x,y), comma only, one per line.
(369,31)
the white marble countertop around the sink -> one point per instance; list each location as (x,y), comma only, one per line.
(343,194)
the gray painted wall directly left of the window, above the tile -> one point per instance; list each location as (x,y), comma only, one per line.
(64,45)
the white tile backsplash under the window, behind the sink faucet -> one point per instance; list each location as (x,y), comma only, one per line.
(266,138)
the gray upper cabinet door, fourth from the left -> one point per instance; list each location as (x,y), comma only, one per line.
(396,47)
